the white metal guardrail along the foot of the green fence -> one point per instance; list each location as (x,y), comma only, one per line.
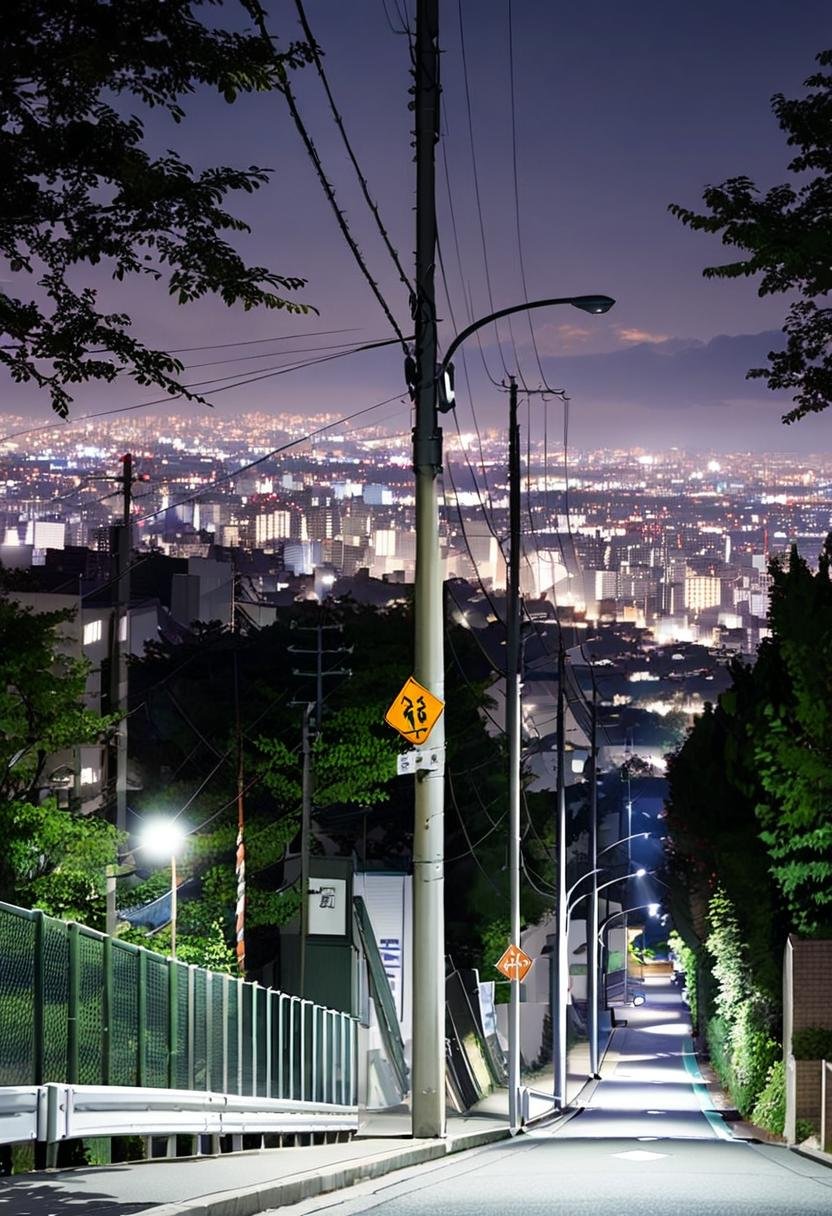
(54,1113)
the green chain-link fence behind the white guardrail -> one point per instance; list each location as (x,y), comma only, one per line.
(83,1009)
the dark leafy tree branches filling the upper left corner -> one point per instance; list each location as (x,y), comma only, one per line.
(82,188)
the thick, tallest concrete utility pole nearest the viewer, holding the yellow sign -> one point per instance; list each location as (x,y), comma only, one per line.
(429,1074)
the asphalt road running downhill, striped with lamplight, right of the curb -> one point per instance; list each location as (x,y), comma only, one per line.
(648,1142)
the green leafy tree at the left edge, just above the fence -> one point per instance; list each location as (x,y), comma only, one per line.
(53,858)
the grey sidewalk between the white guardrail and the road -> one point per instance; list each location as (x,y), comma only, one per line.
(246,1184)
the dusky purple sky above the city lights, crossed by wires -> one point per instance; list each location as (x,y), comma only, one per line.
(620,110)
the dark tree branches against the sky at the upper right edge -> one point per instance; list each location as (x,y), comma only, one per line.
(786,237)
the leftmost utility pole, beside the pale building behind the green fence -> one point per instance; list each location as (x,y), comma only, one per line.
(117,757)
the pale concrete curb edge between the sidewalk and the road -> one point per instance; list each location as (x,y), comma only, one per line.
(251,1201)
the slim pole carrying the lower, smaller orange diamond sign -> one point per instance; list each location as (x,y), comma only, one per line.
(514,734)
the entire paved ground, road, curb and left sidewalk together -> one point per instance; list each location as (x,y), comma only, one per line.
(653,1123)
